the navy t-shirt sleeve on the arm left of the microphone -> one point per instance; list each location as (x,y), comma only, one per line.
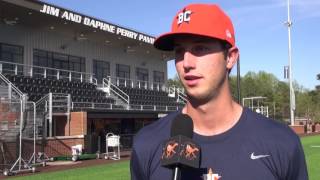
(136,169)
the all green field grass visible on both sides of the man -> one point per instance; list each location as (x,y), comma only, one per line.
(120,171)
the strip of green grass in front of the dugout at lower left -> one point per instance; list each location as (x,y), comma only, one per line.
(115,171)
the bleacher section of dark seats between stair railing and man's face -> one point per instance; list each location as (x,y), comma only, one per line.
(143,95)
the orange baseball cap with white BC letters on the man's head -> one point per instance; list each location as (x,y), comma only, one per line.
(207,20)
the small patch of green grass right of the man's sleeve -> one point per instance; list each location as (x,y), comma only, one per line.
(312,155)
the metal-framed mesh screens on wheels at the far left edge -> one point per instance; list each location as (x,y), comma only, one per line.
(18,135)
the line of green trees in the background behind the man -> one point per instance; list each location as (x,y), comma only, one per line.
(276,93)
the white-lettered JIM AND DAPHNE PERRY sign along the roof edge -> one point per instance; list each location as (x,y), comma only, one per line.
(77,18)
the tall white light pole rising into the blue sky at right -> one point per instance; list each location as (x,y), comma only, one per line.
(292,99)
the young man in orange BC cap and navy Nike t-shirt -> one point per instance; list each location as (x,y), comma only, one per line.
(235,142)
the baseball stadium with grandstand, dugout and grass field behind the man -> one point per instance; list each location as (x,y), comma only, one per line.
(75,87)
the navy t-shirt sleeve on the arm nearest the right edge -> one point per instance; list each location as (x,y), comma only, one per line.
(297,167)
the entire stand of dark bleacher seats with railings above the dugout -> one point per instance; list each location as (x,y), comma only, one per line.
(85,93)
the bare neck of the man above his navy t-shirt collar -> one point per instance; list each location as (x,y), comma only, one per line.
(216,116)
